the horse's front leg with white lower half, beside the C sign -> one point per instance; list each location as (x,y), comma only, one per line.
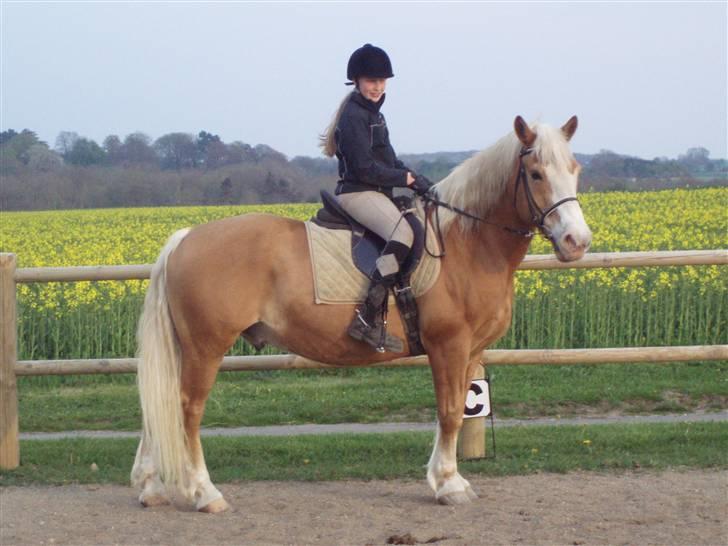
(452,373)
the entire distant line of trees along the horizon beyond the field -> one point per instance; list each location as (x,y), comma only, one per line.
(184,169)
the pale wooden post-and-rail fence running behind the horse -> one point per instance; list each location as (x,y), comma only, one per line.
(473,432)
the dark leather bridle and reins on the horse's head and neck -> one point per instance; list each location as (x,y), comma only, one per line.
(538,215)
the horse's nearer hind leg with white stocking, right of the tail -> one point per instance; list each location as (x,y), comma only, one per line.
(198,377)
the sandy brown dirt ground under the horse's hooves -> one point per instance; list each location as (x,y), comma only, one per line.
(579,508)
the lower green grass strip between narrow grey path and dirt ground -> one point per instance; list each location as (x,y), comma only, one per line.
(520,450)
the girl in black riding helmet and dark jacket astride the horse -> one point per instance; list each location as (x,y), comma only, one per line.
(368,171)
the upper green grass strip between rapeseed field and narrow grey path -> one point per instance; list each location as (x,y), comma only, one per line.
(376,395)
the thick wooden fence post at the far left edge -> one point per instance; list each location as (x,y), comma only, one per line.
(9,446)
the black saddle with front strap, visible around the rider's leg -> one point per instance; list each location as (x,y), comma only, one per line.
(366,247)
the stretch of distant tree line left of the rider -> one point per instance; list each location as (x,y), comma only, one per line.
(175,169)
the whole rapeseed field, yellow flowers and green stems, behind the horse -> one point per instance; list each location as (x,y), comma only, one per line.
(569,308)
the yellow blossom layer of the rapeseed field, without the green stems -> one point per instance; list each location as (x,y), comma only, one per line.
(620,221)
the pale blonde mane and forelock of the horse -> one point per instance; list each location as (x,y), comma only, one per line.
(477,183)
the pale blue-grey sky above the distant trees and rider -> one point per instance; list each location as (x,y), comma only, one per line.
(645,79)
